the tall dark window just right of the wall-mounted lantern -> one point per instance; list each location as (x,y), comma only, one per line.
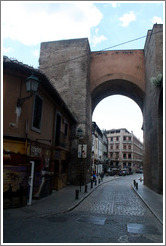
(37,113)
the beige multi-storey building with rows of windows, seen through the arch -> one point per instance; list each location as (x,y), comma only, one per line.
(125,150)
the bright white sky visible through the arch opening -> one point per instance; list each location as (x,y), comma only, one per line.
(119,111)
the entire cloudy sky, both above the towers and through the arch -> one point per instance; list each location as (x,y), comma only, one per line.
(25,24)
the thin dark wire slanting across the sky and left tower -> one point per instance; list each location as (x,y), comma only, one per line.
(78,57)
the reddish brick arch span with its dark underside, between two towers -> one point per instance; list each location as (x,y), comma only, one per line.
(117,72)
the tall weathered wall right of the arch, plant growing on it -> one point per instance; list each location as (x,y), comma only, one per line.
(152,110)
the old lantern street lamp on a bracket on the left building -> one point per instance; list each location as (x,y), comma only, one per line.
(32,83)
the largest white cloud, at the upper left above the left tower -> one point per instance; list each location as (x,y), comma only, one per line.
(32,23)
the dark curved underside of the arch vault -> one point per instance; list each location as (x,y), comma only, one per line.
(117,87)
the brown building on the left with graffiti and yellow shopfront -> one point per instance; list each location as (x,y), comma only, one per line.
(36,129)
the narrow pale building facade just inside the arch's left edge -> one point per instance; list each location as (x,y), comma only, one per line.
(99,149)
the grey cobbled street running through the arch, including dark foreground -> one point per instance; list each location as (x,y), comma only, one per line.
(113,213)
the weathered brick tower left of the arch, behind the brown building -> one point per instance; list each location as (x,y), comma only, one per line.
(66,64)
